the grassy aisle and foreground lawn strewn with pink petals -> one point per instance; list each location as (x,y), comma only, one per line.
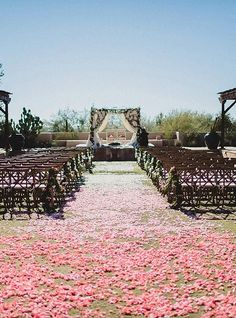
(119,252)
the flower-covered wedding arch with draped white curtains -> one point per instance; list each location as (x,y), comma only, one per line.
(99,118)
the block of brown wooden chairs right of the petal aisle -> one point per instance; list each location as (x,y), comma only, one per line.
(194,180)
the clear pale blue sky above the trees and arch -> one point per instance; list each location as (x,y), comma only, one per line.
(159,55)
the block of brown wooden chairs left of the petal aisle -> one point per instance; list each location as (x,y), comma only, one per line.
(40,182)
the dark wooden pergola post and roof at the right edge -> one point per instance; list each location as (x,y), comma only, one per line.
(229,95)
